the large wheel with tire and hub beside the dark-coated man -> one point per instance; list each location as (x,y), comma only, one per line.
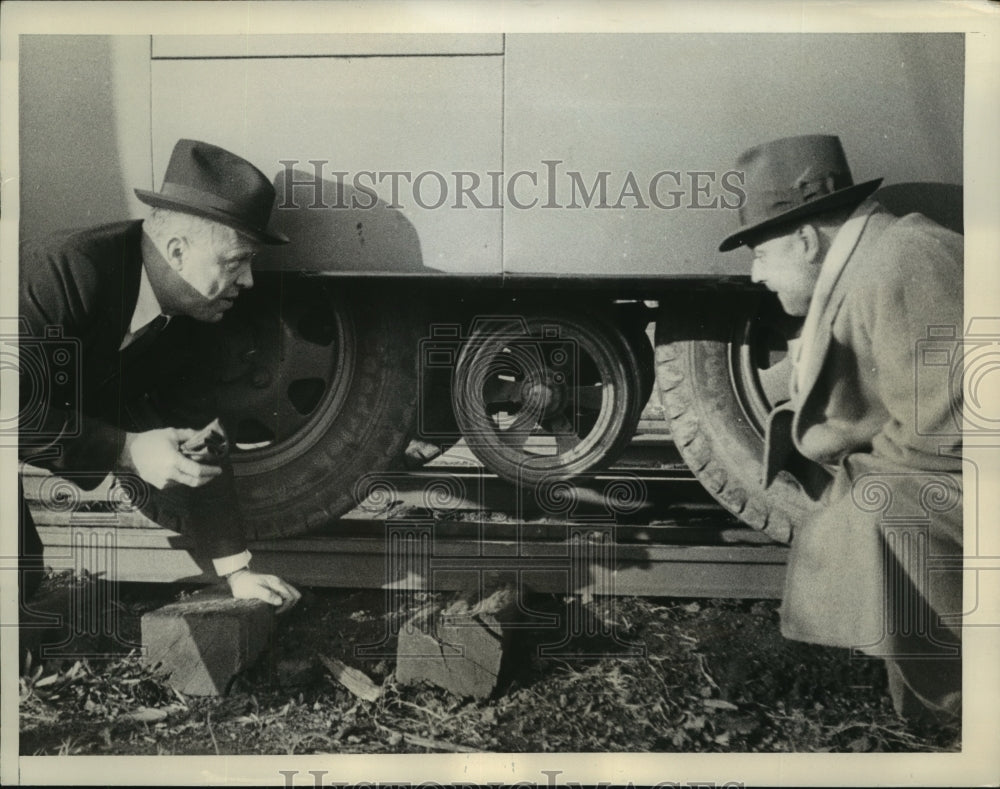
(316,388)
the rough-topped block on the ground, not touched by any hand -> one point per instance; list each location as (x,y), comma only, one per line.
(458,645)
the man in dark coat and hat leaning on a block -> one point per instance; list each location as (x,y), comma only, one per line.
(122,295)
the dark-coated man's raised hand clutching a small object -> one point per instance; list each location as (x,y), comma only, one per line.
(155,456)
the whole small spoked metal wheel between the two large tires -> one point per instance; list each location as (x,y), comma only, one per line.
(546,396)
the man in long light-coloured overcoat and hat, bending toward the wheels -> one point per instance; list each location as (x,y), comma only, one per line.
(876,567)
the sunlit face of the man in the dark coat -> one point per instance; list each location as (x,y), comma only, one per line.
(216,273)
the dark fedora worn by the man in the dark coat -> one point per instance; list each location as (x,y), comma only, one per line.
(213,183)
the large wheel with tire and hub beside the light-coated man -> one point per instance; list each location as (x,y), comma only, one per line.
(718,381)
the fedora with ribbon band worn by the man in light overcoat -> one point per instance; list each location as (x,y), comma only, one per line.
(790,179)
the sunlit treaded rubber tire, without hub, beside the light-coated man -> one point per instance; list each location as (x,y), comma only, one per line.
(710,426)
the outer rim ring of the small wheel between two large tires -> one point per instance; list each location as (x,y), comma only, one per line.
(617,348)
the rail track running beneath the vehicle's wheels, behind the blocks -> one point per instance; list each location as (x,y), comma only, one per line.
(644,527)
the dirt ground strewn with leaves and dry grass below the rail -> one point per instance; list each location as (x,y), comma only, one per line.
(667,675)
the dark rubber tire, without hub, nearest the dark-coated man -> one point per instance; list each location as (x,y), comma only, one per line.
(366,435)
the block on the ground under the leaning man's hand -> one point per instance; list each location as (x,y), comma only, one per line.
(205,640)
